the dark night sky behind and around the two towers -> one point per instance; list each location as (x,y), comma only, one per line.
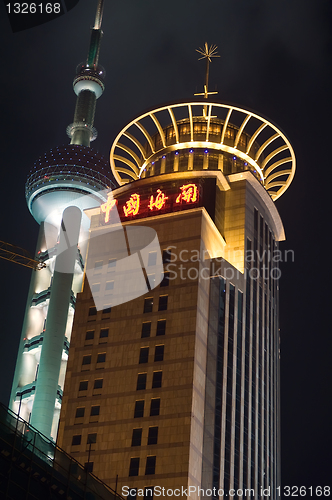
(275,59)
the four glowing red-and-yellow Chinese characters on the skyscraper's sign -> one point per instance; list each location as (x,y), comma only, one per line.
(188,194)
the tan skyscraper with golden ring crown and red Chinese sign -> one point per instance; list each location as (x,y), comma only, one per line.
(179,388)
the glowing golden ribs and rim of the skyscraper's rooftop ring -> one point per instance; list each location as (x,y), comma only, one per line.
(274,179)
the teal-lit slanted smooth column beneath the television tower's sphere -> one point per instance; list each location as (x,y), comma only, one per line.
(51,354)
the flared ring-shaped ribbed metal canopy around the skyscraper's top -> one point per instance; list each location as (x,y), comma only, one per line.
(267,149)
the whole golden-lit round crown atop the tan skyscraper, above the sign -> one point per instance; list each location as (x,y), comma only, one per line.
(202,135)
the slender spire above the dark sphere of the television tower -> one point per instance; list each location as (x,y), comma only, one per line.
(88,86)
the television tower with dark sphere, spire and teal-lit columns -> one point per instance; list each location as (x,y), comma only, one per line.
(63,183)
